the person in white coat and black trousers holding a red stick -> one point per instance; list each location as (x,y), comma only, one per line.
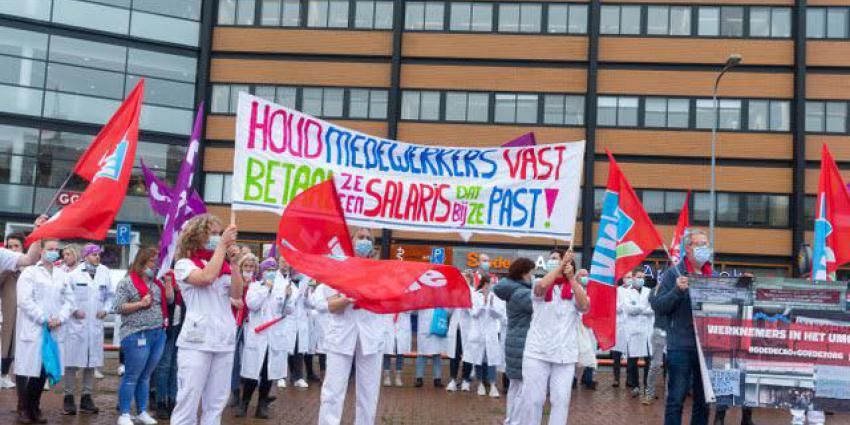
(264,353)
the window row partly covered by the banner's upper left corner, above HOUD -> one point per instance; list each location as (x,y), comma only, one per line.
(325,102)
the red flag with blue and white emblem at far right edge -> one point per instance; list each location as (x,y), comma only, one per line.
(831,247)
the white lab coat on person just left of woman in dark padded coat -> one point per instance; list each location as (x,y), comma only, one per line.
(487,316)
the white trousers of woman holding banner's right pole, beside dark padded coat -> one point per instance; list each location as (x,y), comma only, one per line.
(538,376)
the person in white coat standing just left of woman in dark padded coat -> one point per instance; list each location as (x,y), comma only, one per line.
(485,349)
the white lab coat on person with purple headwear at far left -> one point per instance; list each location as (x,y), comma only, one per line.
(84,337)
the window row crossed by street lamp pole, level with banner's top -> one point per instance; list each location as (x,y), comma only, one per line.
(690,113)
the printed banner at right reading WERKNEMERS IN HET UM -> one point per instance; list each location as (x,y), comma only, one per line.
(778,343)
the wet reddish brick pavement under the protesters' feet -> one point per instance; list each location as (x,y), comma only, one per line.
(407,405)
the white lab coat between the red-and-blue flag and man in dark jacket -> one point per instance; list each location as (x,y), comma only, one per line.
(635,321)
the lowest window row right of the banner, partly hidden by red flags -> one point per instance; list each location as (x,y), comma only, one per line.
(733,209)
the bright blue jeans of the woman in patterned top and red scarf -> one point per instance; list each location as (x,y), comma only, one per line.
(142,351)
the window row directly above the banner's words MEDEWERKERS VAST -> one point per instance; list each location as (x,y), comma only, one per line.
(496,108)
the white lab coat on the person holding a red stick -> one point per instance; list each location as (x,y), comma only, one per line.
(264,306)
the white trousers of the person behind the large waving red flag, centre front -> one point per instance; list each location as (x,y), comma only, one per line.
(368,380)
